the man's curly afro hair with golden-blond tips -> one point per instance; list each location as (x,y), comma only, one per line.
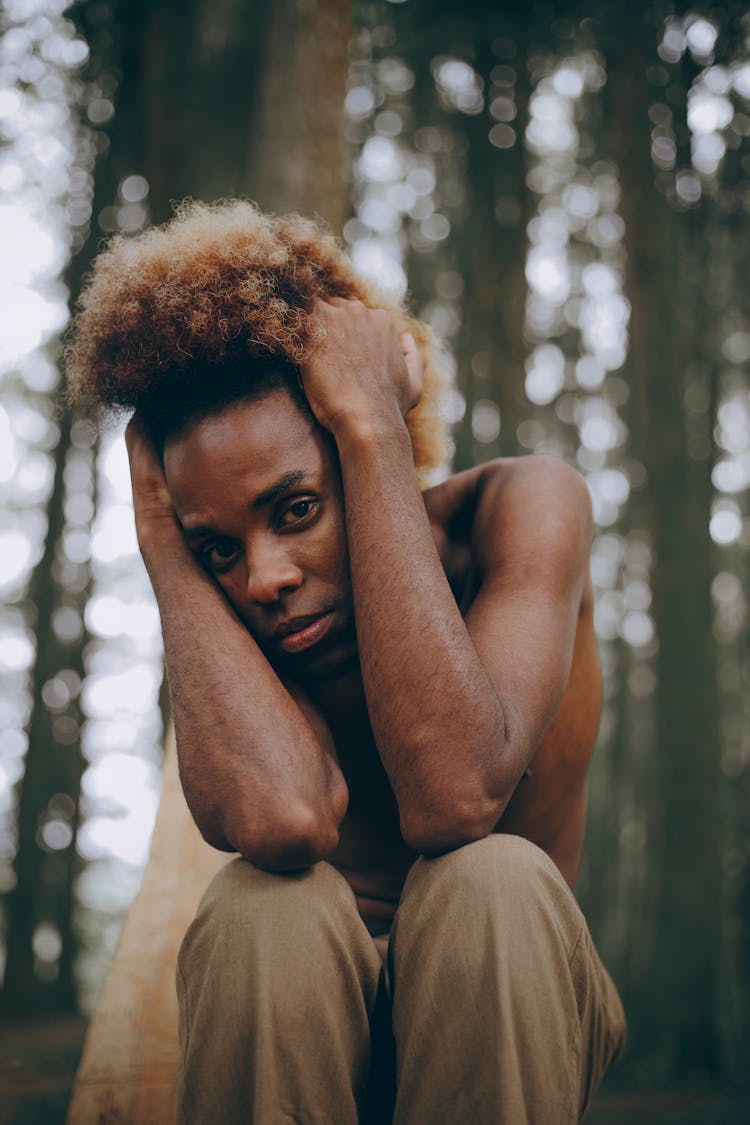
(213,307)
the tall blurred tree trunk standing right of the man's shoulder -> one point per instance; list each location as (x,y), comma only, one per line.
(676,1019)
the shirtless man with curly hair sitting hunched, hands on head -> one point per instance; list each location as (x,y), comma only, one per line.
(385,699)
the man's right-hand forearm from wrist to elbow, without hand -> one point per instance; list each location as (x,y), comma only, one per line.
(436,715)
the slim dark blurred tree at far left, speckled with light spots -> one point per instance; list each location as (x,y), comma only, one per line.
(46,867)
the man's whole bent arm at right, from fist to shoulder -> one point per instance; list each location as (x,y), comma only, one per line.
(458,708)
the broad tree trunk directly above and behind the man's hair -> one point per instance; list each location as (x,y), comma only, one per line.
(237,98)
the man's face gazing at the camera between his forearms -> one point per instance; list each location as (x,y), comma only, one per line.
(258,491)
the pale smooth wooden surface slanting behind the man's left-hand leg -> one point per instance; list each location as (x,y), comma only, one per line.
(129,1069)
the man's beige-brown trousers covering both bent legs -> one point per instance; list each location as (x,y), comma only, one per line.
(493,1007)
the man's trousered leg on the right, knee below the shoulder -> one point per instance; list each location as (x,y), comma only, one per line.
(503,1012)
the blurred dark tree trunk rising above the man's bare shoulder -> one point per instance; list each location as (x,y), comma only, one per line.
(490,233)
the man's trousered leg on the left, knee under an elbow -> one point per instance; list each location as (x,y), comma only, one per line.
(277,982)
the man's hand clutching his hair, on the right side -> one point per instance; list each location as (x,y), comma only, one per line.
(363,373)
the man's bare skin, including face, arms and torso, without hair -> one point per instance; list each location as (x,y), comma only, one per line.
(360,672)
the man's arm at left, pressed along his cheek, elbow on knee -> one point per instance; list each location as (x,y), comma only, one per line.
(258,768)
